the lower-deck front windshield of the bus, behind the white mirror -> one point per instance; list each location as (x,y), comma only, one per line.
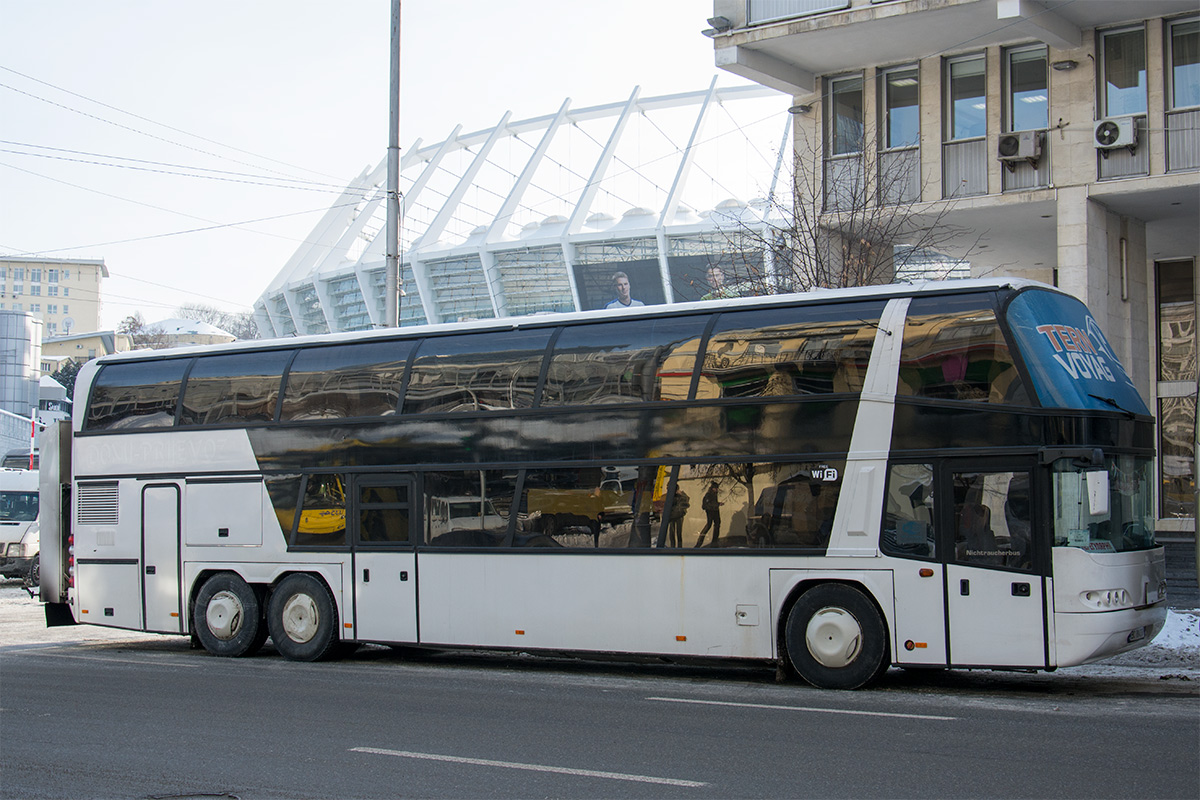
(1129,521)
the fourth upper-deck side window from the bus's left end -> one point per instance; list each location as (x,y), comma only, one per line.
(475,372)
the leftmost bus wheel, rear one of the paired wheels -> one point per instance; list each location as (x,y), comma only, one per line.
(227,617)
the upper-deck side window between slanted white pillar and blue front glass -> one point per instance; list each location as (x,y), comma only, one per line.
(955,350)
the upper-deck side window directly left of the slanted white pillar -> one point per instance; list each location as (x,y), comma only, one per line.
(766,353)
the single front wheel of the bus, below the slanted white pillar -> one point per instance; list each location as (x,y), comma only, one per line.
(836,637)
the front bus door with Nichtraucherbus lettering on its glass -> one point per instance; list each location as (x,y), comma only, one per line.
(995,593)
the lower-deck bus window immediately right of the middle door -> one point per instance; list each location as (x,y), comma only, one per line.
(469,508)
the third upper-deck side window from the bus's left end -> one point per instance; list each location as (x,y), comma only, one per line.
(346,381)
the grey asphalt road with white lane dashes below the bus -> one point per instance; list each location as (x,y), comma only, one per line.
(153,718)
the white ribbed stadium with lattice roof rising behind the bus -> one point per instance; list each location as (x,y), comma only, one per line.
(539,215)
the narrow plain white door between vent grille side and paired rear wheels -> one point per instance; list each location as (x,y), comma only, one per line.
(161,596)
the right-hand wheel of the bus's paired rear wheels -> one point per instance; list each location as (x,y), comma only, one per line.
(303,619)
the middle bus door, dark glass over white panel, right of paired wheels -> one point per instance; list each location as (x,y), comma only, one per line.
(385,560)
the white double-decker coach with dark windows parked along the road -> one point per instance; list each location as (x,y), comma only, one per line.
(943,476)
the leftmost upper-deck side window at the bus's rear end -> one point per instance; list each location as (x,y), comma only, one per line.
(136,395)
